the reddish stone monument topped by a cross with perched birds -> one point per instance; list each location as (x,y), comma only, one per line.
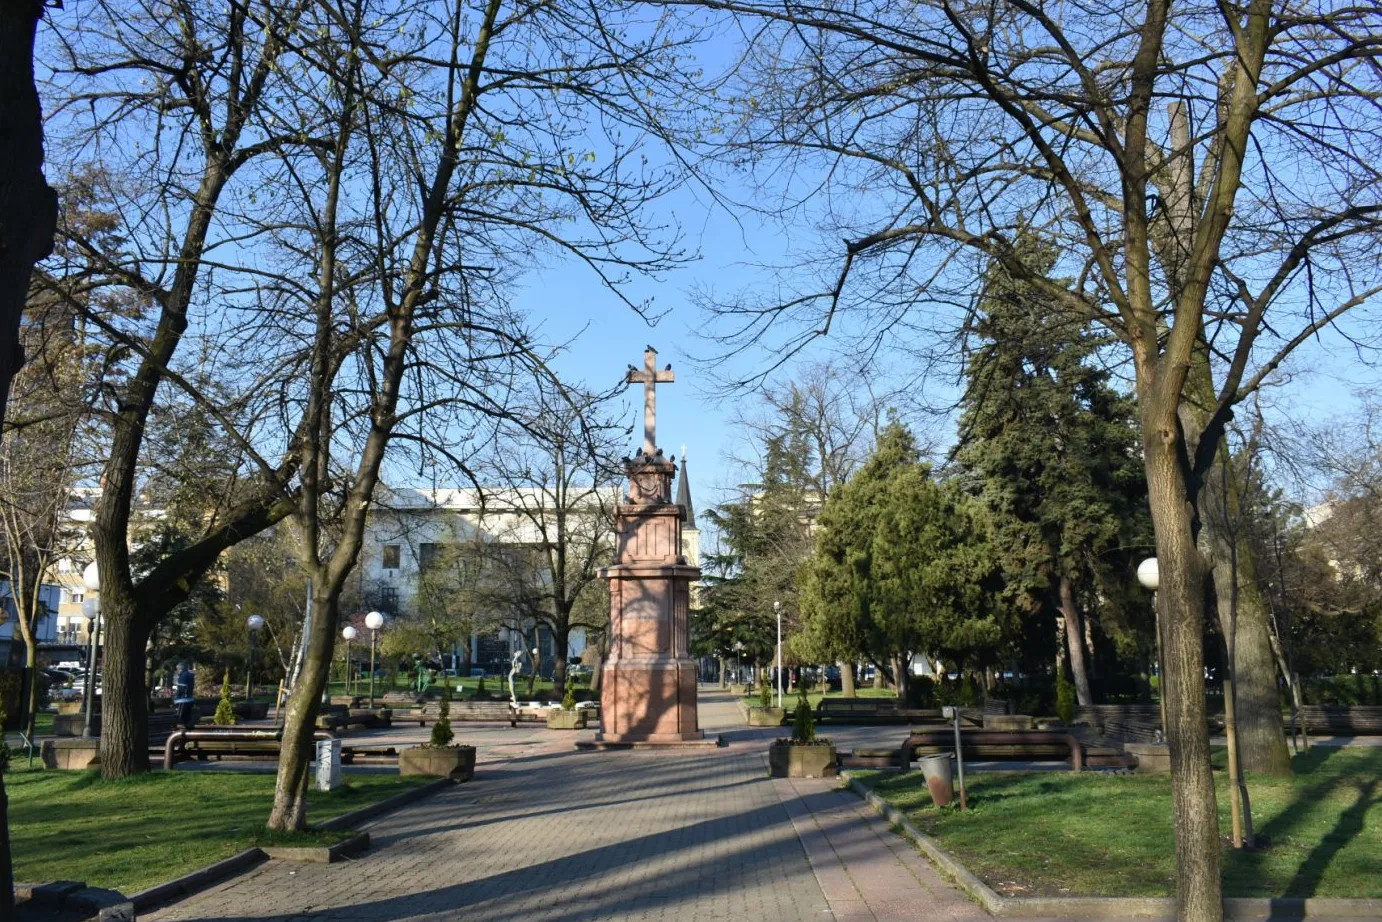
(647,693)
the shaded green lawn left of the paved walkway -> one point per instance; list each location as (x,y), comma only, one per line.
(142,831)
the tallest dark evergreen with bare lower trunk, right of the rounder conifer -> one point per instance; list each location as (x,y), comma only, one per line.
(1051,450)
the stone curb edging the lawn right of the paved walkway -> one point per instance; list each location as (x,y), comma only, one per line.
(1152,909)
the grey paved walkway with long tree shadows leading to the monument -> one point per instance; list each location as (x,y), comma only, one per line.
(552,834)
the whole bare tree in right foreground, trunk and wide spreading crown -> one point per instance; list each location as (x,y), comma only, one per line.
(1210,172)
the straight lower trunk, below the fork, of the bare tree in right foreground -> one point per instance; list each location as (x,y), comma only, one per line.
(1182,601)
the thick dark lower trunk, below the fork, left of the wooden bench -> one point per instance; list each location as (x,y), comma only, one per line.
(125,700)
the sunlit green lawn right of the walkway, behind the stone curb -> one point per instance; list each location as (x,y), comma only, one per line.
(1054,834)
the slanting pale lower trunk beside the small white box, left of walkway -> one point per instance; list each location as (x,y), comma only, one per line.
(290,813)
